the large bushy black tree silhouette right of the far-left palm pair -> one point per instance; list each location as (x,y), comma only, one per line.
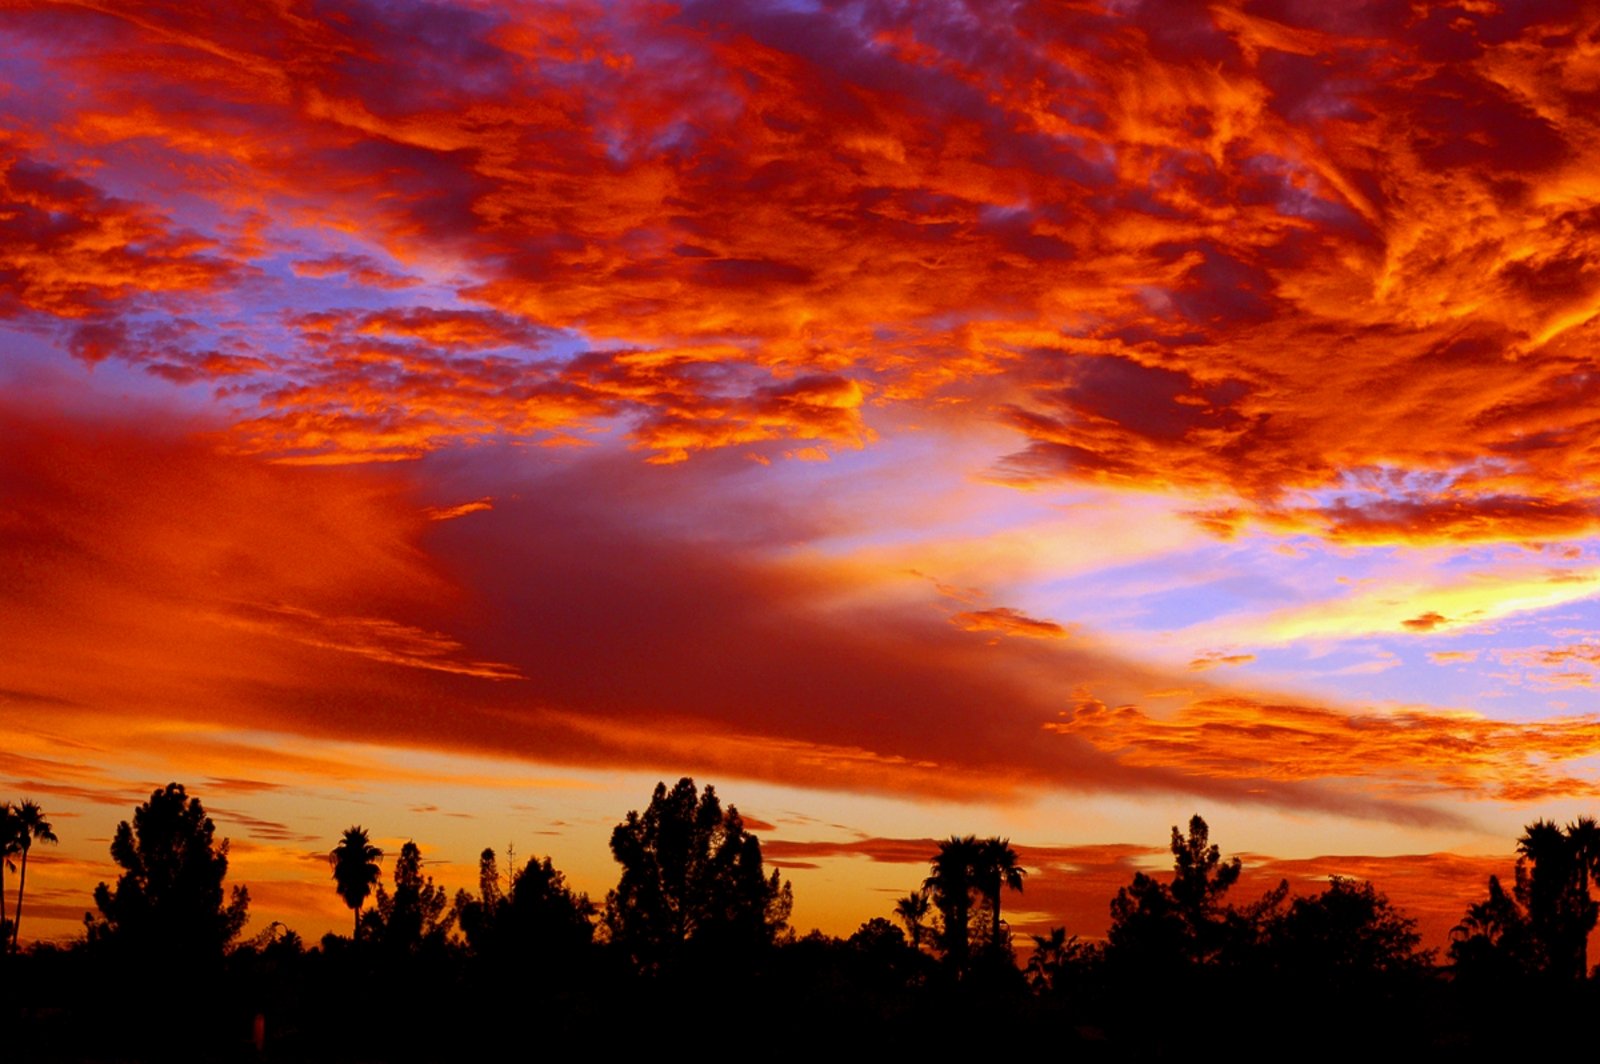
(169,900)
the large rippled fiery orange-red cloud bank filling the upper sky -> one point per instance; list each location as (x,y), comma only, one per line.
(1106,225)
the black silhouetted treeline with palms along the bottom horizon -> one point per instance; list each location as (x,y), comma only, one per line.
(694,948)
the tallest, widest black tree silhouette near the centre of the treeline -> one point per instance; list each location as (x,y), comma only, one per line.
(692,882)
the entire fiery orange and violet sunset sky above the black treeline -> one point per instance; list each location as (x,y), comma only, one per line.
(1030,420)
